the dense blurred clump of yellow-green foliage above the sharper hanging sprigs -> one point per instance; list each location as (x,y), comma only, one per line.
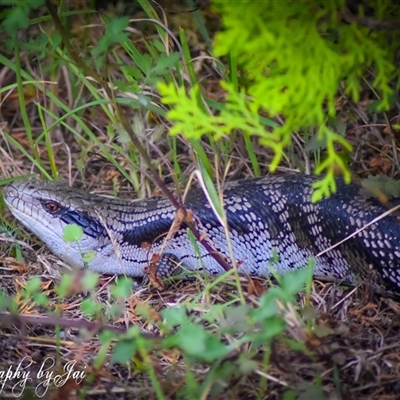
(296,53)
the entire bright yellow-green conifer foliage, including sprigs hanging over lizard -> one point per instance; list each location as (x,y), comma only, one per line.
(292,57)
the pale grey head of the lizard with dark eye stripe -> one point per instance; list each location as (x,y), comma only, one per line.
(46,208)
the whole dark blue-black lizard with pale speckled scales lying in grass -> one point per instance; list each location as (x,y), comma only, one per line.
(265,215)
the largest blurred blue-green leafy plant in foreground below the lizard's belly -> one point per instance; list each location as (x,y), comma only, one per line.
(202,339)
